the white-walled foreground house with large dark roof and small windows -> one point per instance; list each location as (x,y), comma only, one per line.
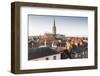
(43,53)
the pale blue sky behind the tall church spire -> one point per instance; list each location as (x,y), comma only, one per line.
(66,25)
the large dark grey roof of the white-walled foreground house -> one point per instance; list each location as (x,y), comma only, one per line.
(40,52)
